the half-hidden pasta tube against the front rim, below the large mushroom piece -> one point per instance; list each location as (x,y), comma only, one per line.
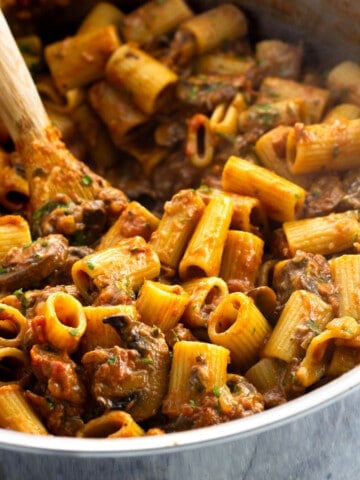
(113,424)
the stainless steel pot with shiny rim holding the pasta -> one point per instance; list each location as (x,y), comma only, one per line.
(315,437)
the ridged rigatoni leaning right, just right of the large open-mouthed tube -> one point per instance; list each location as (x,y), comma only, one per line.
(304,316)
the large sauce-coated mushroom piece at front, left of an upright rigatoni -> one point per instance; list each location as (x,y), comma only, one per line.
(132,378)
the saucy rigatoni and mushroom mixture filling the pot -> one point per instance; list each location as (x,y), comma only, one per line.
(212,271)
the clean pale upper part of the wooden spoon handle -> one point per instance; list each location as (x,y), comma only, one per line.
(21,108)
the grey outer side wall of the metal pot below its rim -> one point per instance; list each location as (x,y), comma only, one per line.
(323,445)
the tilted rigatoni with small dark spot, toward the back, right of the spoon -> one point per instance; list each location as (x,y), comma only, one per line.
(149,82)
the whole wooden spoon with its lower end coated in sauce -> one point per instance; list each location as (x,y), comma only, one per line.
(50,167)
